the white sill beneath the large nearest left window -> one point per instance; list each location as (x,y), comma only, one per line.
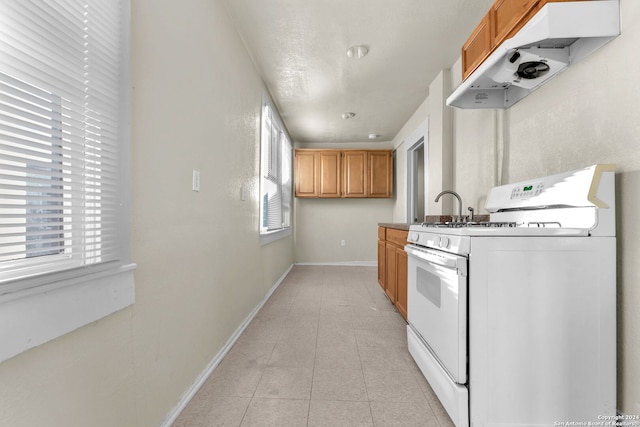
(35,316)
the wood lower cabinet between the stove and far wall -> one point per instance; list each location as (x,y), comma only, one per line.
(392,266)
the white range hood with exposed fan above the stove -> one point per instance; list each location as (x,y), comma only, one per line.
(560,34)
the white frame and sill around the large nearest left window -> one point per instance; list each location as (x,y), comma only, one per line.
(44,305)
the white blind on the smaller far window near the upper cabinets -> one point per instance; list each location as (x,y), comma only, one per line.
(276,174)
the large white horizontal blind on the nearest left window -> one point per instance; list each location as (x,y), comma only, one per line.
(60,132)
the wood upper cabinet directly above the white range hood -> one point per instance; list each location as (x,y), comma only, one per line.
(503,21)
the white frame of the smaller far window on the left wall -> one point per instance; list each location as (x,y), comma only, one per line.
(284,158)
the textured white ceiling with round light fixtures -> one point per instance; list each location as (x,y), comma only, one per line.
(299,47)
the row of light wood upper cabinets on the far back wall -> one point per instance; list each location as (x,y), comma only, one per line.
(344,173)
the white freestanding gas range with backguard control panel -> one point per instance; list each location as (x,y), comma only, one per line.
(513,321)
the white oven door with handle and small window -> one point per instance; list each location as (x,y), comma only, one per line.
(437,306)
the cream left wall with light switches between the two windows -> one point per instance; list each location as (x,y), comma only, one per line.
(196,101)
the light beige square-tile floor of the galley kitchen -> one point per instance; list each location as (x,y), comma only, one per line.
(327,349)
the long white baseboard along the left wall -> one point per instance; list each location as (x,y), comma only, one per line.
(204,375)
